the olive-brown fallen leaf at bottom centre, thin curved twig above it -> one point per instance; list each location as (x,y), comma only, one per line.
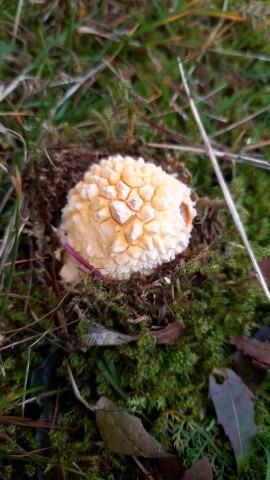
(124,433)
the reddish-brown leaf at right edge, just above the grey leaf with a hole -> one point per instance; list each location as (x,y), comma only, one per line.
(259,351)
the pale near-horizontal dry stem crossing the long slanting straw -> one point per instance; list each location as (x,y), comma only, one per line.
(238,158)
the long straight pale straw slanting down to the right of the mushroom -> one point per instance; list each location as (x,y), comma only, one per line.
(222,182)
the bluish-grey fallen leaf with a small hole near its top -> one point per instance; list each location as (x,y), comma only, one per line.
(234,405)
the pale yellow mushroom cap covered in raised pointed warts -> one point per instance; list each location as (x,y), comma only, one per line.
(126,216)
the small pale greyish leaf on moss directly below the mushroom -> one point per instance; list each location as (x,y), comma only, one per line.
(96,334)
